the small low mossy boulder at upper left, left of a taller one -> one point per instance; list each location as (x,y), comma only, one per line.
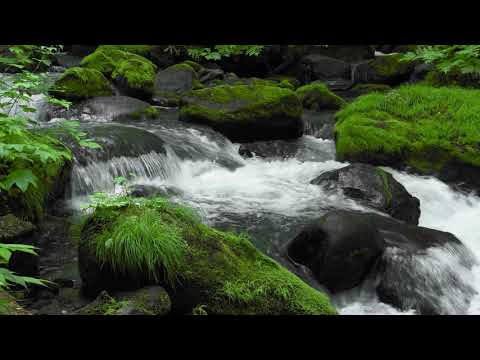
(77,84)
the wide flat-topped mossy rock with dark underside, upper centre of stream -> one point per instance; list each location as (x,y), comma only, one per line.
(246,113)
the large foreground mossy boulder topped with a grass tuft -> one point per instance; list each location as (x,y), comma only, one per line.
(156,242)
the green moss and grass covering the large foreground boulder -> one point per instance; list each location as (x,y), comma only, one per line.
(232,276)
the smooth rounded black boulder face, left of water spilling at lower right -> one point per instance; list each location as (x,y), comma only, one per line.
(340,249)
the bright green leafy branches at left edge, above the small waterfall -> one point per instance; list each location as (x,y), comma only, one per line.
(21,150)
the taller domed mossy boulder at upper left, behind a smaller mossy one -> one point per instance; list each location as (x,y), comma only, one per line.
(133,74)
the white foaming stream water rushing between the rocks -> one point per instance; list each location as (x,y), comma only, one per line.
(272,199)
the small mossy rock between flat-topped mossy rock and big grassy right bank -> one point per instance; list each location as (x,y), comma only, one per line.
(317,96)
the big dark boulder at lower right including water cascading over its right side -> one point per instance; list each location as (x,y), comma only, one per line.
(405,262)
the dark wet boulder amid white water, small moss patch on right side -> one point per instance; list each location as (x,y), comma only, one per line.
(374,187)
